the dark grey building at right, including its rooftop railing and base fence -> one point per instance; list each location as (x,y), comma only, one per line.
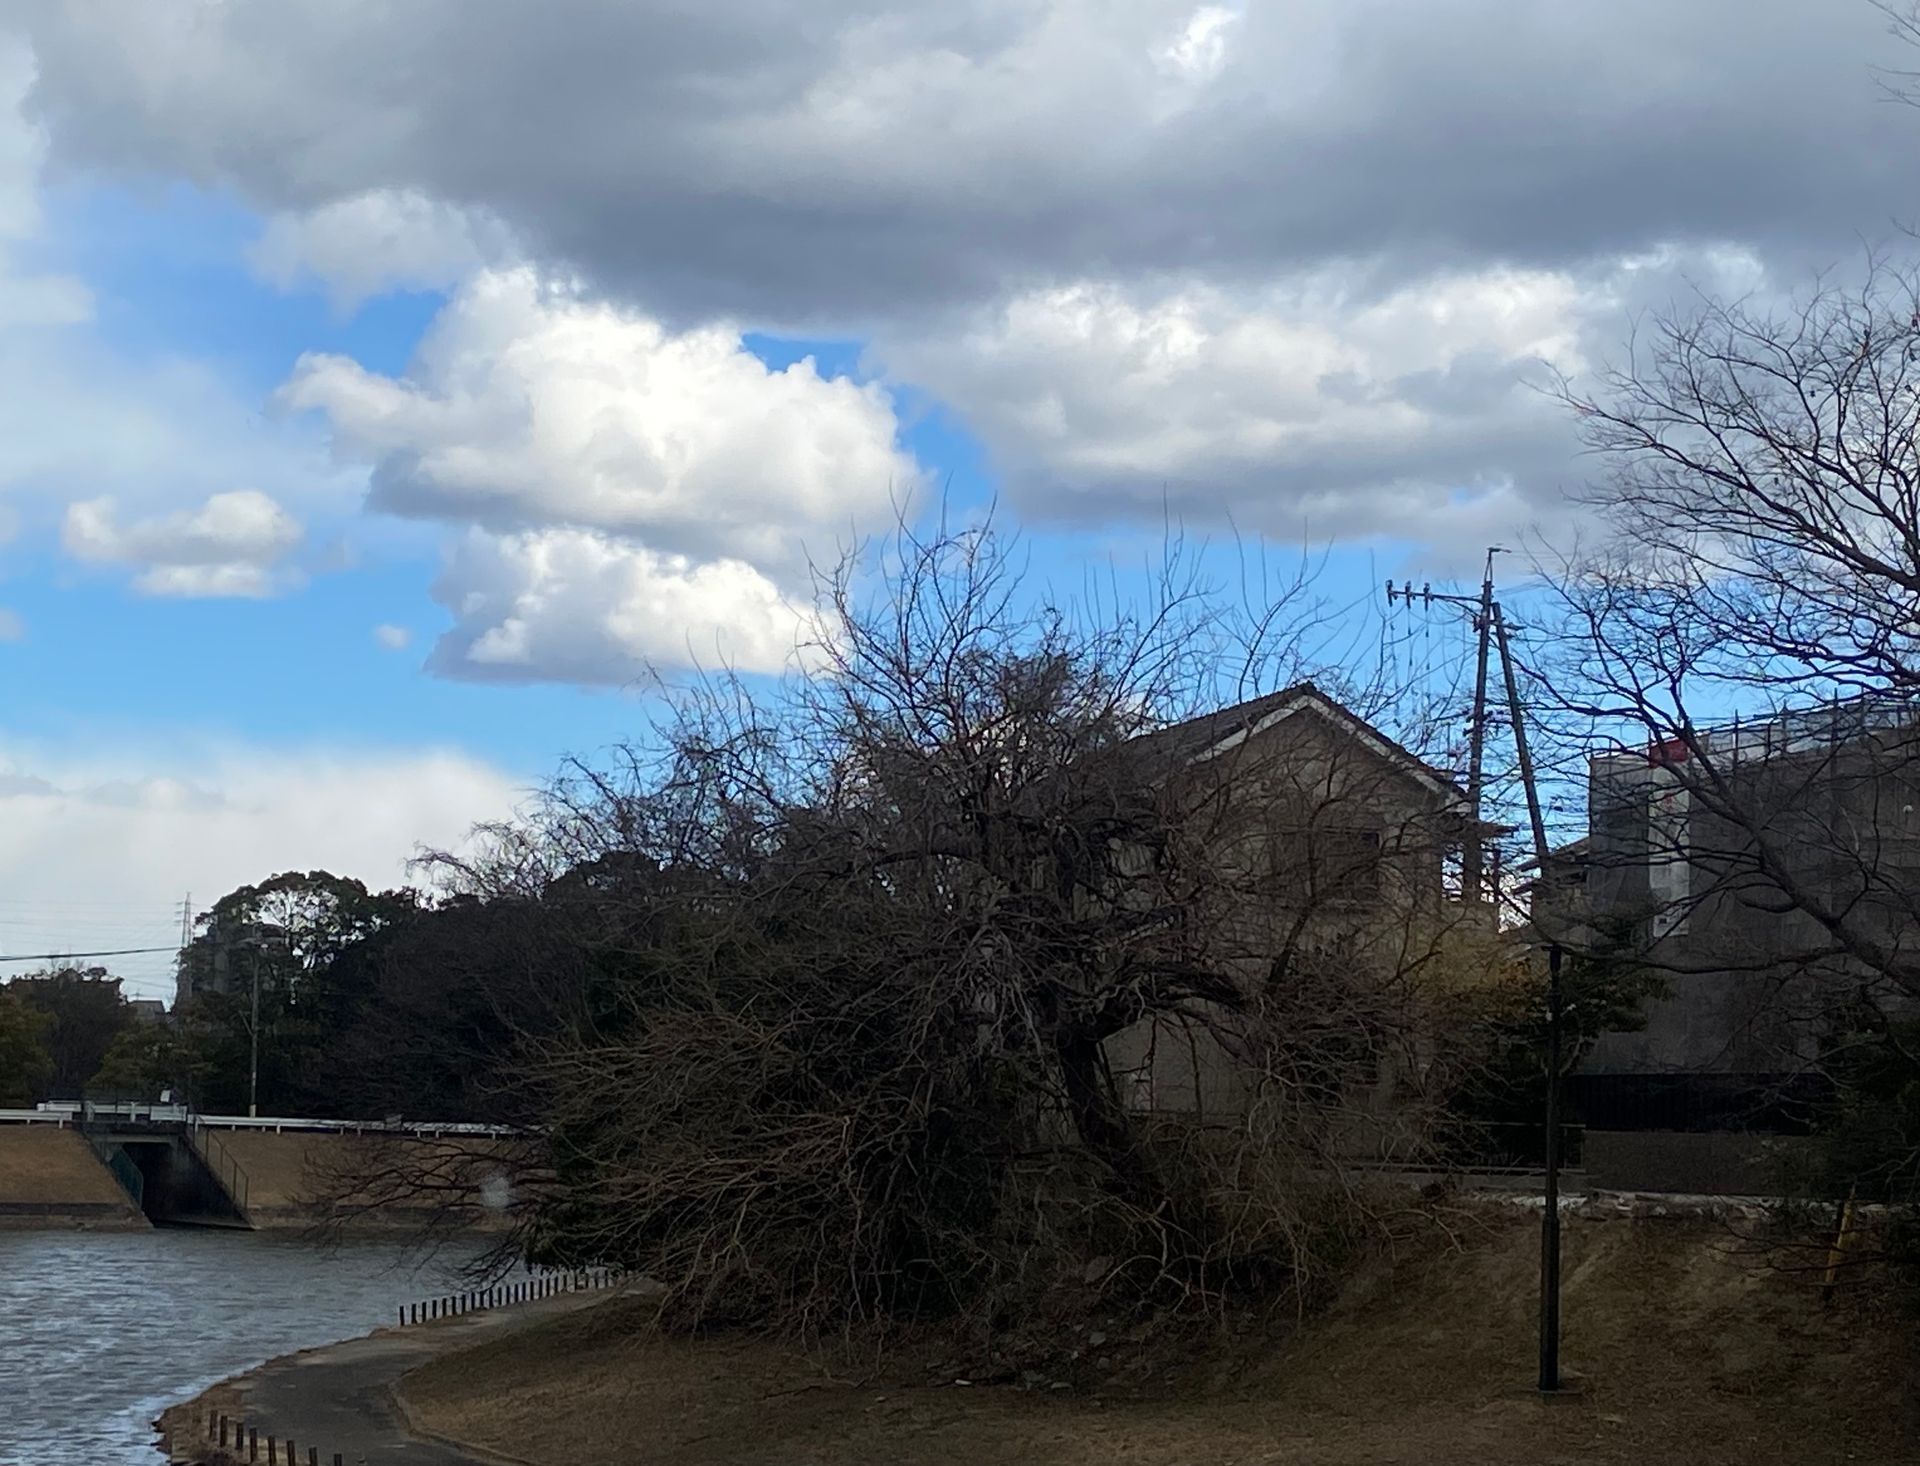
(1771,872)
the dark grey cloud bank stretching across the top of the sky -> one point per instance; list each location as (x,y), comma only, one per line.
(848,160)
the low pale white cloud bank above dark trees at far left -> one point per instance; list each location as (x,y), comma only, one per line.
(137,834)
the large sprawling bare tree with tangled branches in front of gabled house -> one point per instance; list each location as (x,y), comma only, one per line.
(988,937)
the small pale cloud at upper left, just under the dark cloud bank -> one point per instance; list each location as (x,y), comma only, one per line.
(387,239)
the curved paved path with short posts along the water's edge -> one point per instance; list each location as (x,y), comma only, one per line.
(341,1398)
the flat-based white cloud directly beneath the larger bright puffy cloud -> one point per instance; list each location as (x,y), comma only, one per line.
(573,605)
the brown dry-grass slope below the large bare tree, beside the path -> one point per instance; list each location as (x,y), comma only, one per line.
(1691,1356)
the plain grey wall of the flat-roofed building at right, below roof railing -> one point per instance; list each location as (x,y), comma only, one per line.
(1721,903)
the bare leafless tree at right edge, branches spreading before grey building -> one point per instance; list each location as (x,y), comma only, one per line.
(1742,650)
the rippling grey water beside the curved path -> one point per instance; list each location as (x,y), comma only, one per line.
(103,1331)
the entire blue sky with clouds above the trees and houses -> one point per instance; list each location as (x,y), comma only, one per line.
(393,398)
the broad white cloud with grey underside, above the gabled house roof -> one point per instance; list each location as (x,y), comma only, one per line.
(1299,406)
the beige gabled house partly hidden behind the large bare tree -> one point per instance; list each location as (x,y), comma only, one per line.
(1337,845)
